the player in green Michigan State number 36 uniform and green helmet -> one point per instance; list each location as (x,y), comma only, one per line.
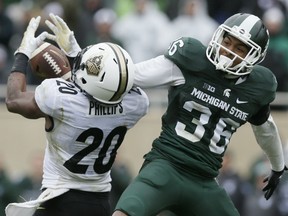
(212,92)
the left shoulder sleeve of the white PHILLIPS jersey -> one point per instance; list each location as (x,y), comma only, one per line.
(46,97)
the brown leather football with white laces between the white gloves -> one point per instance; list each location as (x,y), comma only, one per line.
(48,61)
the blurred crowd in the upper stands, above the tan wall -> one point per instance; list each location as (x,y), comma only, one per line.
(144,27)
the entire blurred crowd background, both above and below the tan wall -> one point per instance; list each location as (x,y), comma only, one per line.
(145,29)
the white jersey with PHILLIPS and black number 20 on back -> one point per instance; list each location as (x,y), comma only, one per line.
(83,142)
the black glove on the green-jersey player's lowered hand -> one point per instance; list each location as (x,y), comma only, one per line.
(272,182)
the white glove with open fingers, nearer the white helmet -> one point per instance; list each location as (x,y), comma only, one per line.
(63,36)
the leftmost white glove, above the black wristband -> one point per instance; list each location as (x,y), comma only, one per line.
(29,42)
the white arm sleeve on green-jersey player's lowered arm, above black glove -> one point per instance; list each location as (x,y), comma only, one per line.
(268,138)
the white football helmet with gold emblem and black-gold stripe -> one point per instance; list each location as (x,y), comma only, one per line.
(105,71)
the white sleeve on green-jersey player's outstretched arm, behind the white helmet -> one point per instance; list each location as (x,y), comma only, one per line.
(157,72)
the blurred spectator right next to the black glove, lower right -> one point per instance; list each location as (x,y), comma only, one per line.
(256,204)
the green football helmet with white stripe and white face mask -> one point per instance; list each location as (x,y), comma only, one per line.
(250,30)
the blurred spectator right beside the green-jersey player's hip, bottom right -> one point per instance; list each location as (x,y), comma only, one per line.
(236,187)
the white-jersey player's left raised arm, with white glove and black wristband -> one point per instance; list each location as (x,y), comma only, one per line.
(18,100)
